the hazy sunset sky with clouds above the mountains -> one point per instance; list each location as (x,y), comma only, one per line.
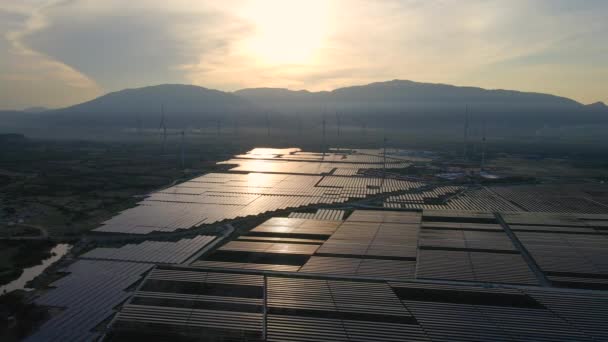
(57,53)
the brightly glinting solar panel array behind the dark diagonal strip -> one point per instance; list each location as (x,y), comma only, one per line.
(217,197)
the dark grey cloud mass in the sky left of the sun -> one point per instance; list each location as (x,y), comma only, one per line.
(131,45)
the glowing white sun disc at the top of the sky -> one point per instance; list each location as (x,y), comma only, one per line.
(286,31)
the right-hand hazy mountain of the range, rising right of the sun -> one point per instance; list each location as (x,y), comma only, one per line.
(407,103)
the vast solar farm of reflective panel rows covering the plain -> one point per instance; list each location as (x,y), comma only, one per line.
(300,246)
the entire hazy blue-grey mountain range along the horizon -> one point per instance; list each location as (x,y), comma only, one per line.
(392,104)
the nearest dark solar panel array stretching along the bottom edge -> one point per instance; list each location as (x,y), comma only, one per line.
(197,304)
